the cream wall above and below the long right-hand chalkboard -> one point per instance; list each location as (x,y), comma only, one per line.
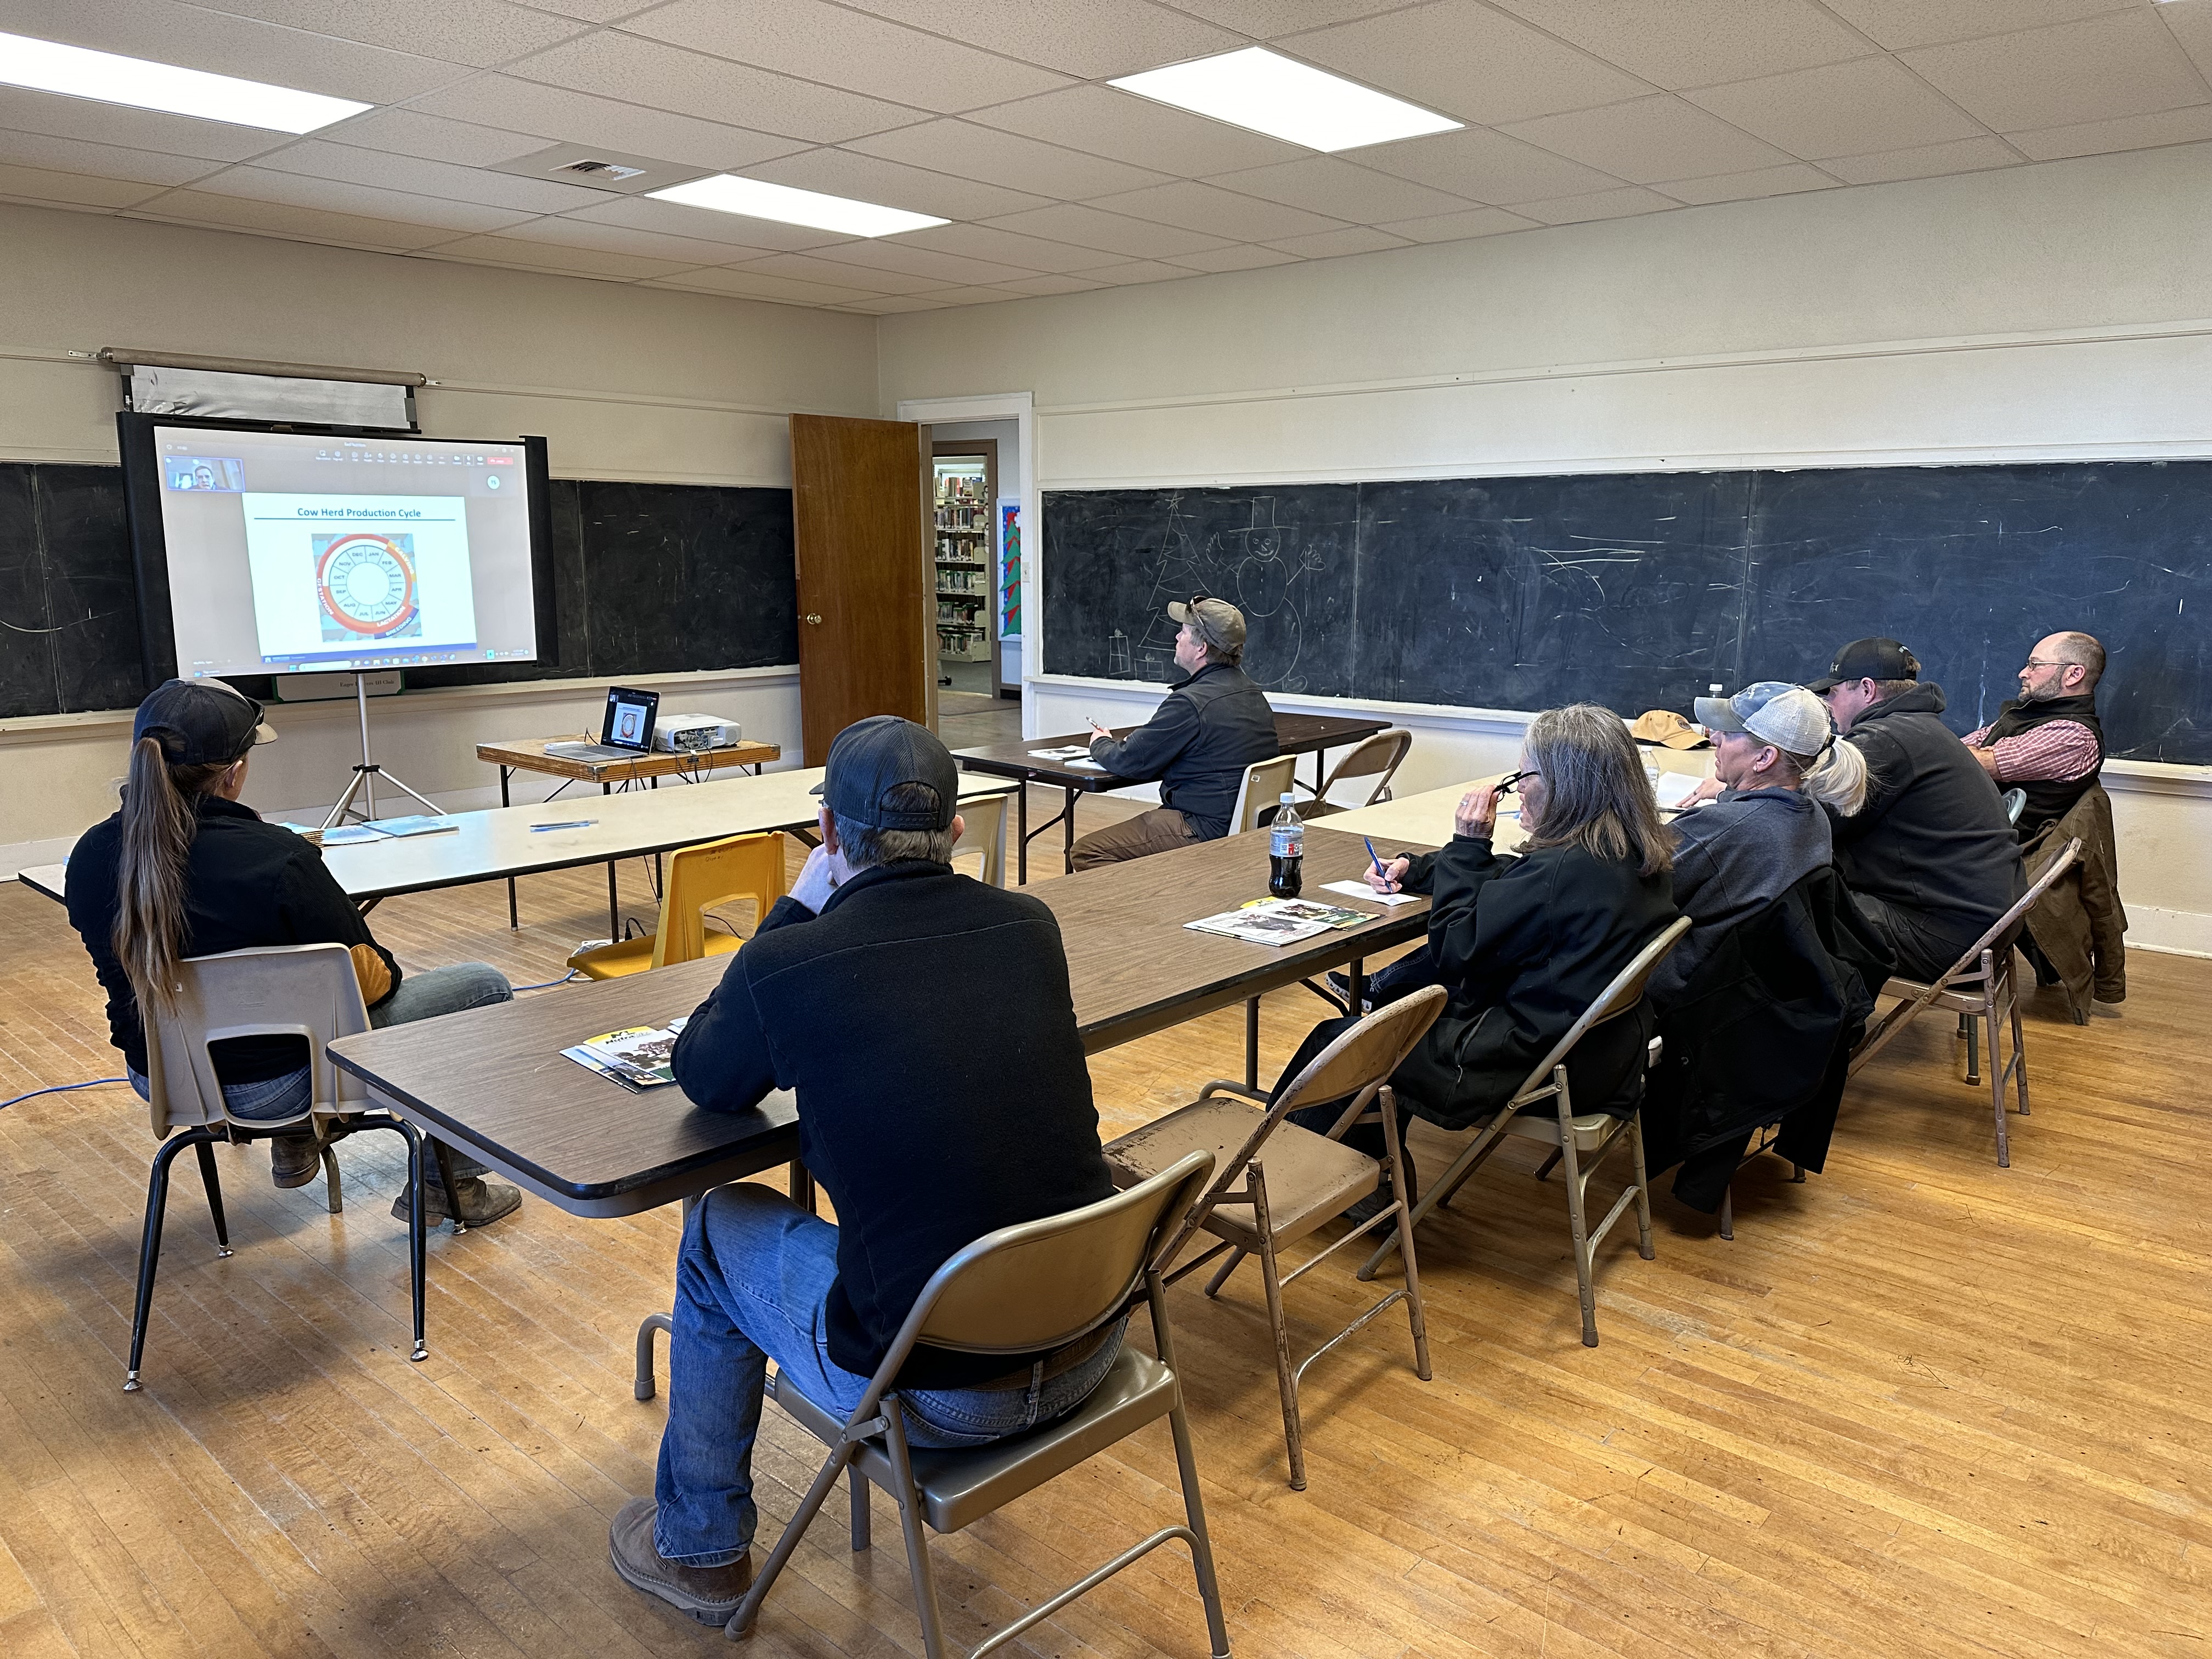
(2041,313)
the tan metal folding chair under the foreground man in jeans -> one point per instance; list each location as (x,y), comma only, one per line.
(1019,1291)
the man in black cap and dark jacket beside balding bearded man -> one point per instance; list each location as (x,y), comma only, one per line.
(1932,857)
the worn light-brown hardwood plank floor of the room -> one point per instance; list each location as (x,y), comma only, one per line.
(1921,1406)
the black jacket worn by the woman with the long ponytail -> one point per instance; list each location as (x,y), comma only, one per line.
(247,884)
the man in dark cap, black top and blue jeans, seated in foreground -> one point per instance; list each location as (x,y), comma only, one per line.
(924,1138)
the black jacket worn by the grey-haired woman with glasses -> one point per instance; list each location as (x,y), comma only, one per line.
(1525,948)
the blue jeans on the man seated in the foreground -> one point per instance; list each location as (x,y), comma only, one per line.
(751,1286)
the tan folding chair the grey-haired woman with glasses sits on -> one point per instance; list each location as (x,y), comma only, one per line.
(1583,1142)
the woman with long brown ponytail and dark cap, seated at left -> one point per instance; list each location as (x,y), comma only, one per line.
(182,868)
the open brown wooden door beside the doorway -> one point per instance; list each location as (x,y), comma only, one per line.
(866,601)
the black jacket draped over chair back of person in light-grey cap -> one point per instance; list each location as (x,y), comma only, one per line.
(1764,1034)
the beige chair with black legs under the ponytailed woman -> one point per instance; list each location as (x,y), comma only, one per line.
(282,992)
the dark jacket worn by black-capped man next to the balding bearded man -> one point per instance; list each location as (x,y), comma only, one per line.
(1932,837)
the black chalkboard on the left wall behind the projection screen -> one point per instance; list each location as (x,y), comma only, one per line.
(647,578)
